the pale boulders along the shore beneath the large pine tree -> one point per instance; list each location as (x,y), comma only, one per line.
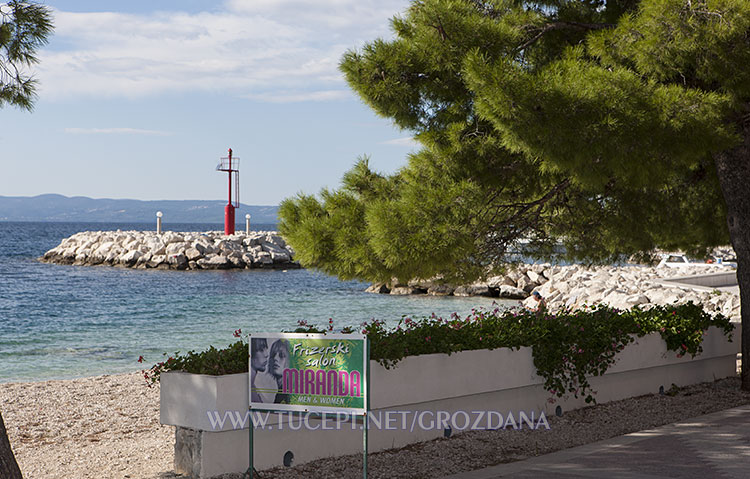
(575,286)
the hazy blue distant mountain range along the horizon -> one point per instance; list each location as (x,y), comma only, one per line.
(80,208)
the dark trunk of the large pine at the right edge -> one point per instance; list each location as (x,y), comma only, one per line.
(733,168)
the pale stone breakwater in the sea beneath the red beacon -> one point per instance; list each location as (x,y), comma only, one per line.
(172,250)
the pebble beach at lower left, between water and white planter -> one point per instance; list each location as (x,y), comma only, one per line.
(97,427)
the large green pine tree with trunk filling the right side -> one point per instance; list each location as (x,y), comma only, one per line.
(612,127)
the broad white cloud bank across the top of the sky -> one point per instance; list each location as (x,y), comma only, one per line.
(250,48)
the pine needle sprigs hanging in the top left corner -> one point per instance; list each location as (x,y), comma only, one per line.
(24,28)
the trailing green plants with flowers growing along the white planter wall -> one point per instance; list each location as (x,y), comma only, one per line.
(567,348)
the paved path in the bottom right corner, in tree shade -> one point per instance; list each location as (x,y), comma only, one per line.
(716,445)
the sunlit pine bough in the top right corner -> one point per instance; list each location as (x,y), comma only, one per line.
(701,44)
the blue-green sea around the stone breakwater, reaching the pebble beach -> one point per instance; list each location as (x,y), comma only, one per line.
(64,321)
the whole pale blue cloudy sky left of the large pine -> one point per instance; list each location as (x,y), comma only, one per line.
(140,99)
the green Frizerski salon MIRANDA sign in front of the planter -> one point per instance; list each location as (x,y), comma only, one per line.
(308,372)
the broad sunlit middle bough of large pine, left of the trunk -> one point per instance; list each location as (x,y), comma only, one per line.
(667,127)
